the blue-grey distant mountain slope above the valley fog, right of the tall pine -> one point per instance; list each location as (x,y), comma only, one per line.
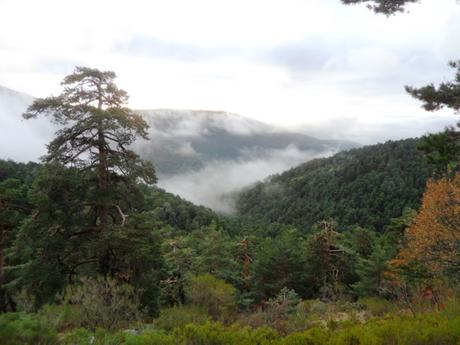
(189,140)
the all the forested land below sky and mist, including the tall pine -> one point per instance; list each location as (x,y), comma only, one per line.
(359,248)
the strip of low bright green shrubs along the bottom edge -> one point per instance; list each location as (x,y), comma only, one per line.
(425,329)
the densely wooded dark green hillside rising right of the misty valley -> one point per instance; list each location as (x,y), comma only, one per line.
(366,186)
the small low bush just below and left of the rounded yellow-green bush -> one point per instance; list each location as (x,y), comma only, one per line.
(176,317)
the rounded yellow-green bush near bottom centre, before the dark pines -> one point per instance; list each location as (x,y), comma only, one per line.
(213,294)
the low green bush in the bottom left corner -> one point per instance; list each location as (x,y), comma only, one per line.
(23,329)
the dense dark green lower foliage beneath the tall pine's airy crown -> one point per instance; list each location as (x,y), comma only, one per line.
(59,196)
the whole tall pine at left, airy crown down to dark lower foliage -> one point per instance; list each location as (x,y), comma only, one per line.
(88,215)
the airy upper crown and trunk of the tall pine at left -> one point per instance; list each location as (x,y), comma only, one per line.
(97,131)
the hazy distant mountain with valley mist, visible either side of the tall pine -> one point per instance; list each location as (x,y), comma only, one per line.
(199,155)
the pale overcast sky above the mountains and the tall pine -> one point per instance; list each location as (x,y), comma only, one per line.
(310,63)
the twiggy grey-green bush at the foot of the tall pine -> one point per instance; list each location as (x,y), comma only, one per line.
(104,302)
